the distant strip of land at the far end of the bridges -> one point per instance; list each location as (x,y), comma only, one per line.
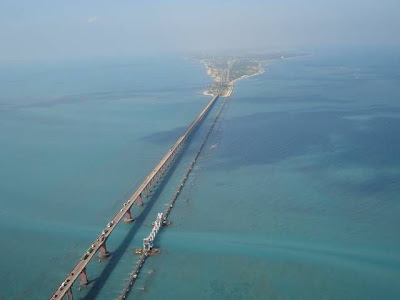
(227,69)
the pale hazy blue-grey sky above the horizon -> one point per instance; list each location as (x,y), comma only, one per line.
(36,29)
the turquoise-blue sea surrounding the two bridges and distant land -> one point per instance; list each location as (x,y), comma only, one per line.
(296,194)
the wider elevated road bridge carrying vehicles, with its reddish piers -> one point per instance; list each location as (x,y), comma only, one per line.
(80,268)
